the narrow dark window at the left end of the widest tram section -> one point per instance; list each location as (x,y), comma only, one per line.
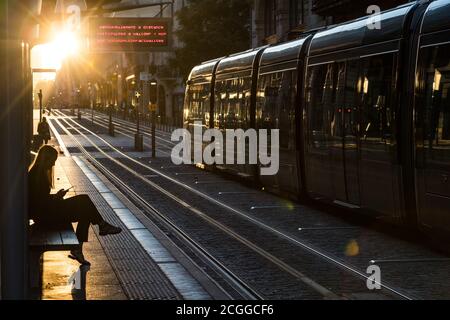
(320,96)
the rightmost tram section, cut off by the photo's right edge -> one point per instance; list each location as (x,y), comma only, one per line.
(432,119)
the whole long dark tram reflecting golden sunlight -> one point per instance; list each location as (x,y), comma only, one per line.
(363,113)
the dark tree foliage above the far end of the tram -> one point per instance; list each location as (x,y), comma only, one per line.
(210,29)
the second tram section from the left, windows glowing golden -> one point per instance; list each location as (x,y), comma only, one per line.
(234,109)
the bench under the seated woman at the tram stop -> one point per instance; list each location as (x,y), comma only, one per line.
(42,239)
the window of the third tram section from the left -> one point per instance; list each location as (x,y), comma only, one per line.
(276,105)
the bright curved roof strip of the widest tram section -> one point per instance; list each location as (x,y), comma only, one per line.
(356,33)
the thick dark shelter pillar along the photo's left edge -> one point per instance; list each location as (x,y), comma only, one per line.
(16,147)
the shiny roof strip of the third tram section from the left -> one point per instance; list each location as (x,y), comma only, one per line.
(284,52)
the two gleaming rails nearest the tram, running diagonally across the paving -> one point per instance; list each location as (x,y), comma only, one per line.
(282,265)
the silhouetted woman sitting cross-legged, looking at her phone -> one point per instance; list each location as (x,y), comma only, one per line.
(53,210)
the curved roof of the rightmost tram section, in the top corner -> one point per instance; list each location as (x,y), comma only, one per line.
(437,16)
